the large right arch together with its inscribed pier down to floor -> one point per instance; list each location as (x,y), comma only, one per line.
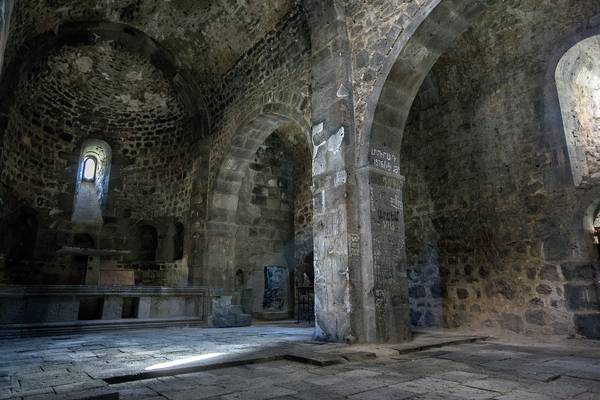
(431,32)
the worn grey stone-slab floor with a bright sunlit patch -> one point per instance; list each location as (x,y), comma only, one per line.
(73,367)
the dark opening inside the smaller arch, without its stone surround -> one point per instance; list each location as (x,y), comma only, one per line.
(271,240)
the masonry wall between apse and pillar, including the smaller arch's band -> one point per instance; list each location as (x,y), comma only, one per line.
(267,90)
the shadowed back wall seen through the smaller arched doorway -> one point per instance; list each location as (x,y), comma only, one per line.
(265,231)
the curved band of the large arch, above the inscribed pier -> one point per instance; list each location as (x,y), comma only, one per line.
(431,33)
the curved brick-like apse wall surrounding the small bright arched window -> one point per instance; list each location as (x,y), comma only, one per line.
(68,96)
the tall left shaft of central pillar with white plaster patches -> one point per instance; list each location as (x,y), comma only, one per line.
(338,311)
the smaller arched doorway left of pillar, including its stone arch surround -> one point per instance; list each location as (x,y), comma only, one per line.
(260,213)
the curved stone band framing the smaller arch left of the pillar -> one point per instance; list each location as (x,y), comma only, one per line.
(223,201)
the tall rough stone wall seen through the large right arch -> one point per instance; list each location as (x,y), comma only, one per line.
(489,198)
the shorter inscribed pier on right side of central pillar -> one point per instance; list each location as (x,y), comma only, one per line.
(383,256)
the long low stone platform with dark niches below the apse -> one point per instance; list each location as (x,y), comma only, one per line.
(22,305)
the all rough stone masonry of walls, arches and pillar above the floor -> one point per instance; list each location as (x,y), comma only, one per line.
(389,164)
